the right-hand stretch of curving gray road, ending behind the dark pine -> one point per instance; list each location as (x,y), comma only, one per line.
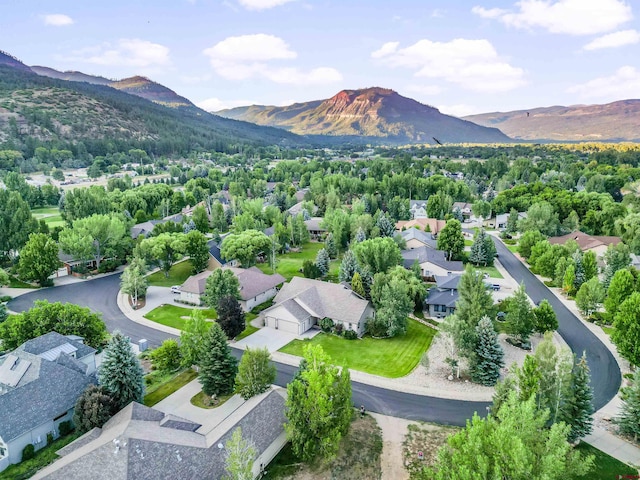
(605,374)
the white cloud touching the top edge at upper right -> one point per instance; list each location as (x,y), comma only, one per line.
(574,17)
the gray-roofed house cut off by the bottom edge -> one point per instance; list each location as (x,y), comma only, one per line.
(143,443)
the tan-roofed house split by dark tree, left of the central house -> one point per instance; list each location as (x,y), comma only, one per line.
(255,287)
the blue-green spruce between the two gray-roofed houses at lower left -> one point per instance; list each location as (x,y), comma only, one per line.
(120,373)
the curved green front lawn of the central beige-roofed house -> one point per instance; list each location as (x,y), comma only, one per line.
(388,357)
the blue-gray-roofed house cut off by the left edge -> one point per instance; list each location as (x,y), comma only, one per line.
(40,382)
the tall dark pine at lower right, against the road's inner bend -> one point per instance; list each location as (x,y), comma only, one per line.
(578,409)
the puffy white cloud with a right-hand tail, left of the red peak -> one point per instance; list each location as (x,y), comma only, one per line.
(246,56)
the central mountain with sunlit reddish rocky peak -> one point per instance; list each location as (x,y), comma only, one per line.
(369,112)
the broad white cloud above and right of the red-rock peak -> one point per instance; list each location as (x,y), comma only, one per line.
(472,64)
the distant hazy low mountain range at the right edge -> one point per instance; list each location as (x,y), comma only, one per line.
(617,121)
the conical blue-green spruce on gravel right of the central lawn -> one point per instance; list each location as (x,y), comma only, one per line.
(488,355)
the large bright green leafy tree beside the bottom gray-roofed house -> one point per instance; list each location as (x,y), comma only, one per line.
(318,406)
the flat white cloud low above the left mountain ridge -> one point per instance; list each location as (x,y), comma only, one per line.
(131,52)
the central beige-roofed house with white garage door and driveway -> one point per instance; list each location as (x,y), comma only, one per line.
(303,302)
